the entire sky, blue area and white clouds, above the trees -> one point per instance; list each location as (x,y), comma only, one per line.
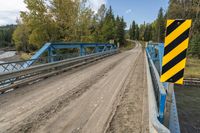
(138,10)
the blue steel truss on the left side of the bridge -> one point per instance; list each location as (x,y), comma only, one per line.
(51,57)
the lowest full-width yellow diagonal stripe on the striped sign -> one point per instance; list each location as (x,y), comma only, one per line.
(173,71)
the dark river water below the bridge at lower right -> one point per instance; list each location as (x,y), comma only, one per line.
(188,105)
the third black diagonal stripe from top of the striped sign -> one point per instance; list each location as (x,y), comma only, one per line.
(174,61)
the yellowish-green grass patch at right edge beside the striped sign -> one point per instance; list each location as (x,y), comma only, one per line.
(192,69)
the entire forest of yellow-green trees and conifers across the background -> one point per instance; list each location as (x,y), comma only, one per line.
(50,21)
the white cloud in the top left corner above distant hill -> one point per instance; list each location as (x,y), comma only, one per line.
(9,11)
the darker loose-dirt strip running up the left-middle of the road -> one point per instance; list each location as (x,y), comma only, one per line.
(37,119)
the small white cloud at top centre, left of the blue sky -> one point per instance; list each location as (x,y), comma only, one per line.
(95,4)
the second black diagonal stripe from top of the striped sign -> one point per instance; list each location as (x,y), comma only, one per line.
(176,42)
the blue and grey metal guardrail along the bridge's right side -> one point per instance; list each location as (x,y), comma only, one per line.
(163,93)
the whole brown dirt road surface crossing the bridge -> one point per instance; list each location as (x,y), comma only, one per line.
(85,100)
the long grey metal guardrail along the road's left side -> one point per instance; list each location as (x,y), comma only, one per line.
(11,80)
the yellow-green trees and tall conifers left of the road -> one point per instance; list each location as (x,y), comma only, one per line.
(66,20)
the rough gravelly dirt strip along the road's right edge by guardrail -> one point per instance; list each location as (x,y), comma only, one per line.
(131,115)
